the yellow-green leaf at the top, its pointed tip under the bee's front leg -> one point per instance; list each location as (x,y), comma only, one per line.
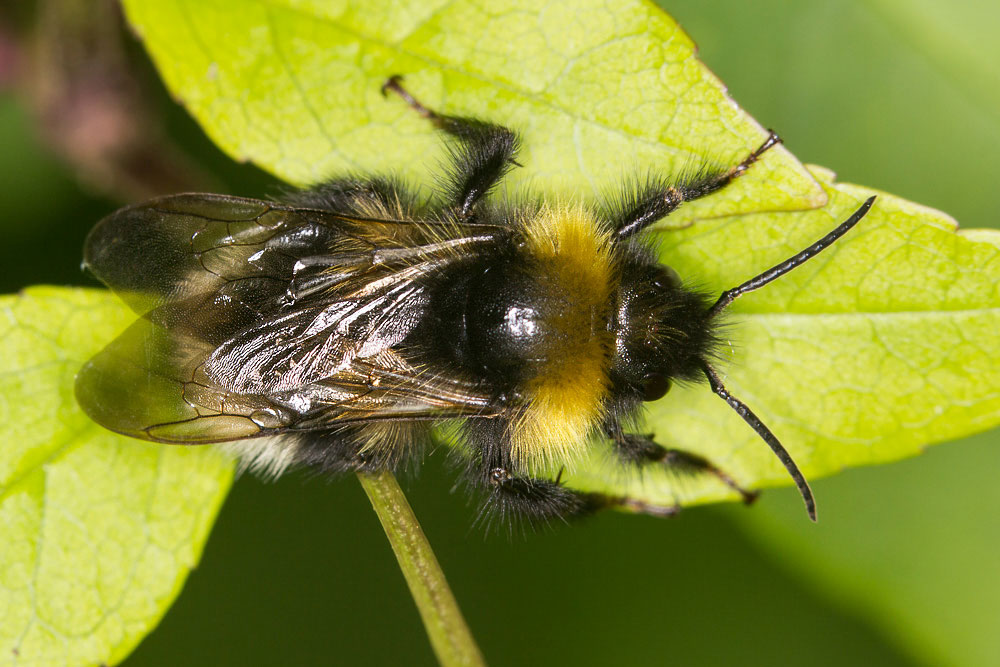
(598,90)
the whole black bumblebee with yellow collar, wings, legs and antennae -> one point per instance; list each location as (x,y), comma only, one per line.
(334,330)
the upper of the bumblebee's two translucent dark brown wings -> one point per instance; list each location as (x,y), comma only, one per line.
(172,248)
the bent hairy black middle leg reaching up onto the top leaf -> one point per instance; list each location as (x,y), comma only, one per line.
(485,152)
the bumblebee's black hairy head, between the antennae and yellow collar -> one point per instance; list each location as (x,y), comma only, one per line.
(663,331)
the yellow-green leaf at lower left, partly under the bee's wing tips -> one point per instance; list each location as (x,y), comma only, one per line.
(99,531)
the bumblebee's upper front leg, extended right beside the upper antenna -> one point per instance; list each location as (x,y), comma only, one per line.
(658,199)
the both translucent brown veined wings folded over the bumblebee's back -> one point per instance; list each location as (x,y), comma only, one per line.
(261,319)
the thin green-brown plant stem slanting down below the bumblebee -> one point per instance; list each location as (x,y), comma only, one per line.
(450,637)
